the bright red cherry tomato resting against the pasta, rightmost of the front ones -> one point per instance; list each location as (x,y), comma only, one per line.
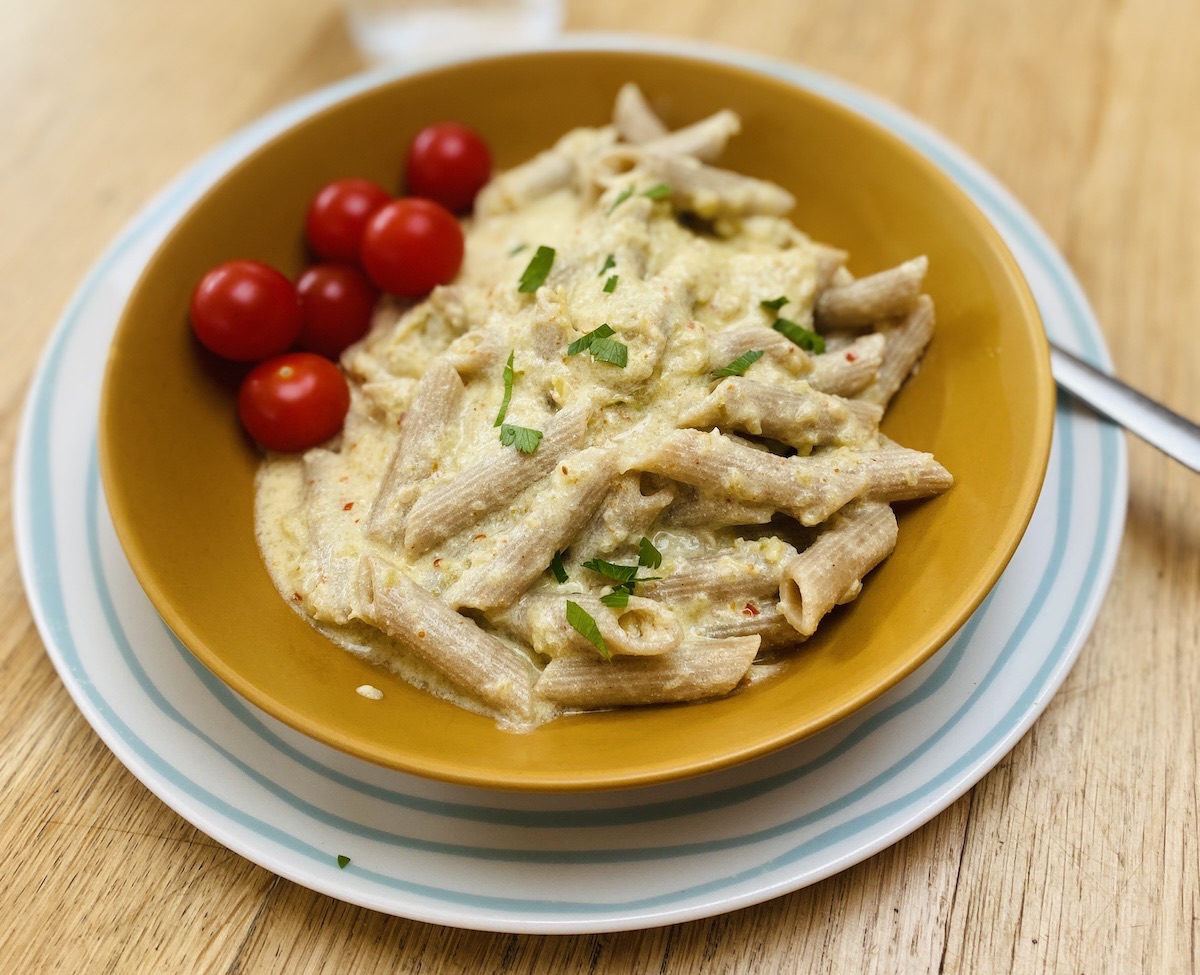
(412,246)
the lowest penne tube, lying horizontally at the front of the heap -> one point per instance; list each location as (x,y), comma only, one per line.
(694,672)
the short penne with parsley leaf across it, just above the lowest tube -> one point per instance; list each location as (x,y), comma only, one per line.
(640,629)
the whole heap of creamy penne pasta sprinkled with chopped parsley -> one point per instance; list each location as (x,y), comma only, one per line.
(631,451)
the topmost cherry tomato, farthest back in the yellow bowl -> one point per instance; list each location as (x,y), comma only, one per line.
(448,163)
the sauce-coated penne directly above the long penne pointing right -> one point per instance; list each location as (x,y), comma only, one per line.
(800,417)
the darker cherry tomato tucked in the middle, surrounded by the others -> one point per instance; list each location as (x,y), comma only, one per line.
(337,304)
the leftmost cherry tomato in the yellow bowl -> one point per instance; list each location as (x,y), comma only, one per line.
(245,310)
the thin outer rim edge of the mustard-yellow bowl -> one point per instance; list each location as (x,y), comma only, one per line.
(520,780)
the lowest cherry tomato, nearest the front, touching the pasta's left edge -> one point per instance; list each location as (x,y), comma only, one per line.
(293,402)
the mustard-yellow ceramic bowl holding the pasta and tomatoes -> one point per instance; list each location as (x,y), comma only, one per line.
(178,471)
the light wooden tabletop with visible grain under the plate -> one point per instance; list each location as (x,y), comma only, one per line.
(1081,853)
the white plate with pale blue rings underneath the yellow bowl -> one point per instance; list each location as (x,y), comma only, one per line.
(521,863)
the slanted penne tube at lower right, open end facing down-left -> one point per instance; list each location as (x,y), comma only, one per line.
(832,569)
